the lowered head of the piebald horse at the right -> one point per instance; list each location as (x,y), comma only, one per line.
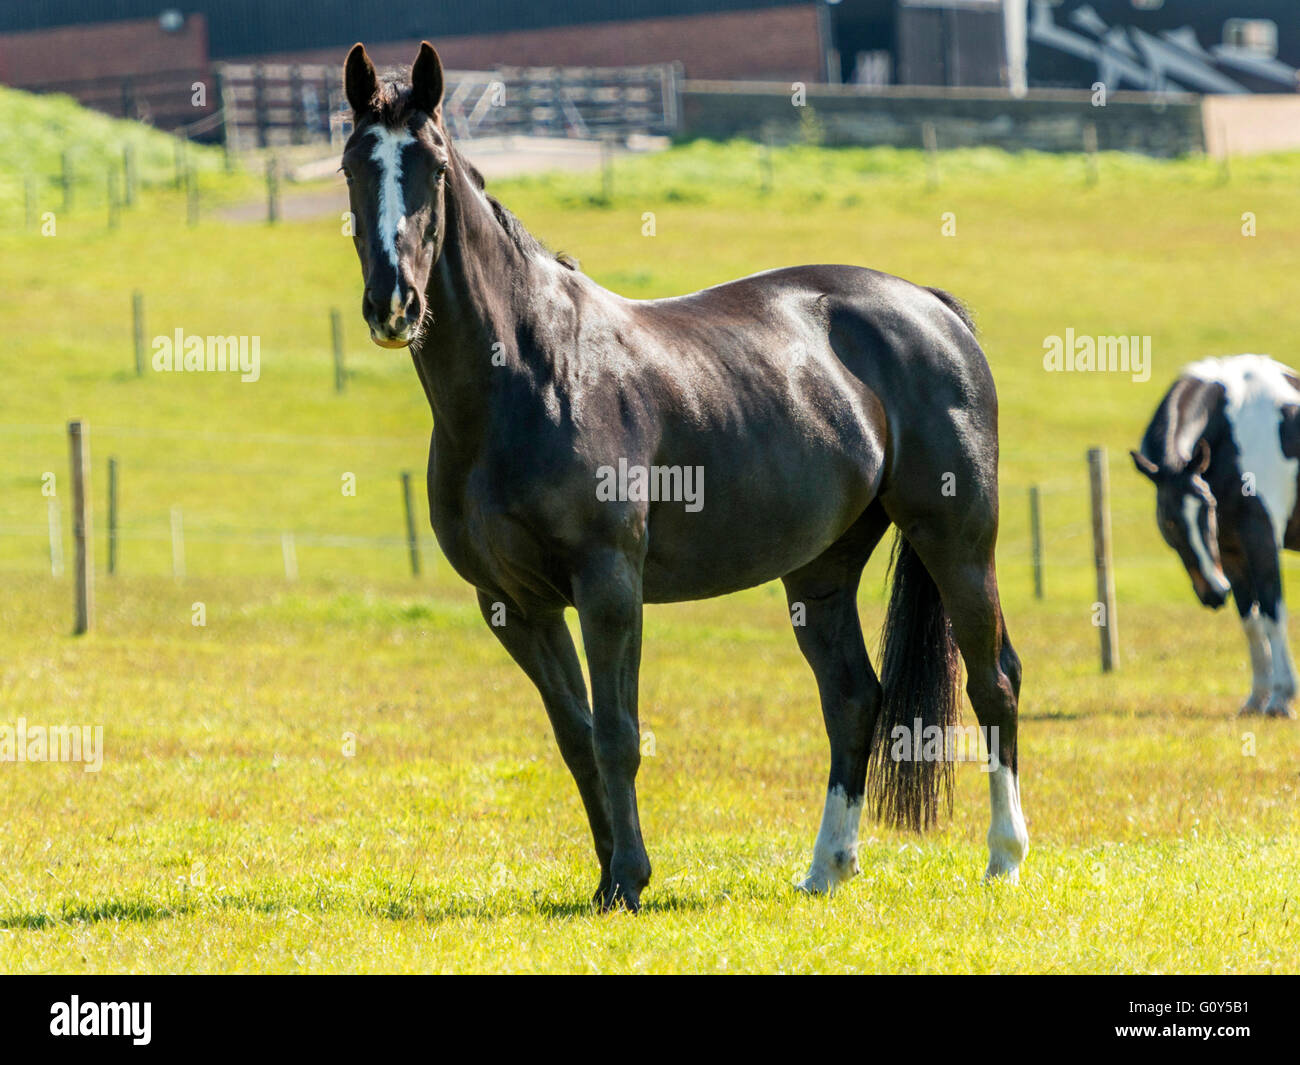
(1186,514)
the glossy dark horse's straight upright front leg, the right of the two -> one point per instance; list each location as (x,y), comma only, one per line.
(608,596)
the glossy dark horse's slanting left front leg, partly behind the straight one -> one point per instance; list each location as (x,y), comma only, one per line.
(545,652)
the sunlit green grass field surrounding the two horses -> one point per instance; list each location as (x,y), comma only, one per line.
(348,774)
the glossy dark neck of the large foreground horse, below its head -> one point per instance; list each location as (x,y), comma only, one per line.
(479,298)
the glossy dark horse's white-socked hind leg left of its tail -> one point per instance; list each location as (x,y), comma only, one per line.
(825,612)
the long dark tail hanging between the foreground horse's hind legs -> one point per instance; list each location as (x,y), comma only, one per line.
(920,672)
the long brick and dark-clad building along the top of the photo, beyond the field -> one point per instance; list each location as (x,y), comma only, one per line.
(115,54)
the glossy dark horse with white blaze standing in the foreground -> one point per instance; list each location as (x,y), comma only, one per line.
(573,434)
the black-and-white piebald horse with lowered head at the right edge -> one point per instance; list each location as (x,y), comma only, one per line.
(1224,451)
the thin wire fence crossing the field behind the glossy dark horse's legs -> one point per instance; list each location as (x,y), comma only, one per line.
(214,504)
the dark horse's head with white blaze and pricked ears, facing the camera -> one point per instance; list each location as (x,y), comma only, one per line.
(396,162)
